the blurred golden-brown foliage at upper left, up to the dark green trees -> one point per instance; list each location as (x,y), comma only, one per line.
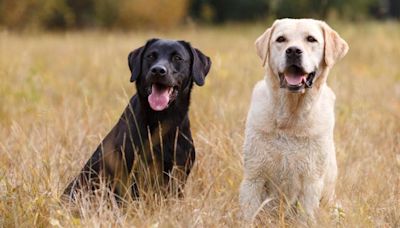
(65,14)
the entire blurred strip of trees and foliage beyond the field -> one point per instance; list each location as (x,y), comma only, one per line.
(165,14)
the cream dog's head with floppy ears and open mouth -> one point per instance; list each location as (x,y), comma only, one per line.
(298,51)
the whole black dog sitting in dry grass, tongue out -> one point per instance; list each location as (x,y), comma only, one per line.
(151,145)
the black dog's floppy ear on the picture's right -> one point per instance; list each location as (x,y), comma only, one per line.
(201,64)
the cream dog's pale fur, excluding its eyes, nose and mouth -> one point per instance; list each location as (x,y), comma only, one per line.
(289,152)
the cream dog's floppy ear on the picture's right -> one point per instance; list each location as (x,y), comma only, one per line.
(335,47)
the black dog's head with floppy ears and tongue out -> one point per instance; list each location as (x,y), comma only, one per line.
(164,70)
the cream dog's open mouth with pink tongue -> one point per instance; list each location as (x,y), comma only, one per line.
(296,79)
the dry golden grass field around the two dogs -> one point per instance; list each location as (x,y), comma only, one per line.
(61,93)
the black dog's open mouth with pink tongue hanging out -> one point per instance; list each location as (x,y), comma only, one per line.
(161,96)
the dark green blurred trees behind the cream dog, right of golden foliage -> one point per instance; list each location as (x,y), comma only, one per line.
(225,10)
